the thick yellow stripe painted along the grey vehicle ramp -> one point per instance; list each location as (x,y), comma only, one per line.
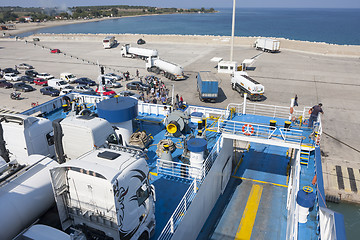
(248,219)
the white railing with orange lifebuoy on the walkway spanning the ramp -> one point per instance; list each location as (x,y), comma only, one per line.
(260,131)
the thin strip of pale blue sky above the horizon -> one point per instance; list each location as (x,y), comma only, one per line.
(189,3)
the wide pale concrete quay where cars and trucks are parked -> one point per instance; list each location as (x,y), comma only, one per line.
(314,77)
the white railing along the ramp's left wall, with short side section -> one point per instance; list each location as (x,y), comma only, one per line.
(185,202)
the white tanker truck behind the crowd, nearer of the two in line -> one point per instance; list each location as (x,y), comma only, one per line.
(170,70)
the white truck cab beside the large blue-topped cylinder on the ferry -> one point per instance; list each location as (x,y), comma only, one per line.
(76,135)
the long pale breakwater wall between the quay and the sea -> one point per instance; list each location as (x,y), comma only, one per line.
(318,48)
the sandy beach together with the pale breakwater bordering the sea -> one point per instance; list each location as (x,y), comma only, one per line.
(322,48)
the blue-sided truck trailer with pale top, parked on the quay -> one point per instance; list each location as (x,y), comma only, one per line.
(207,86)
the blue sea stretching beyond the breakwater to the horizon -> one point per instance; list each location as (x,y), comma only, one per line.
(338,26)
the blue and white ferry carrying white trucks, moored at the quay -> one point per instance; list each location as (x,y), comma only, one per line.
(250,171)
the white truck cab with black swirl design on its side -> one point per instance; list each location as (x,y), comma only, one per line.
(106,193)
